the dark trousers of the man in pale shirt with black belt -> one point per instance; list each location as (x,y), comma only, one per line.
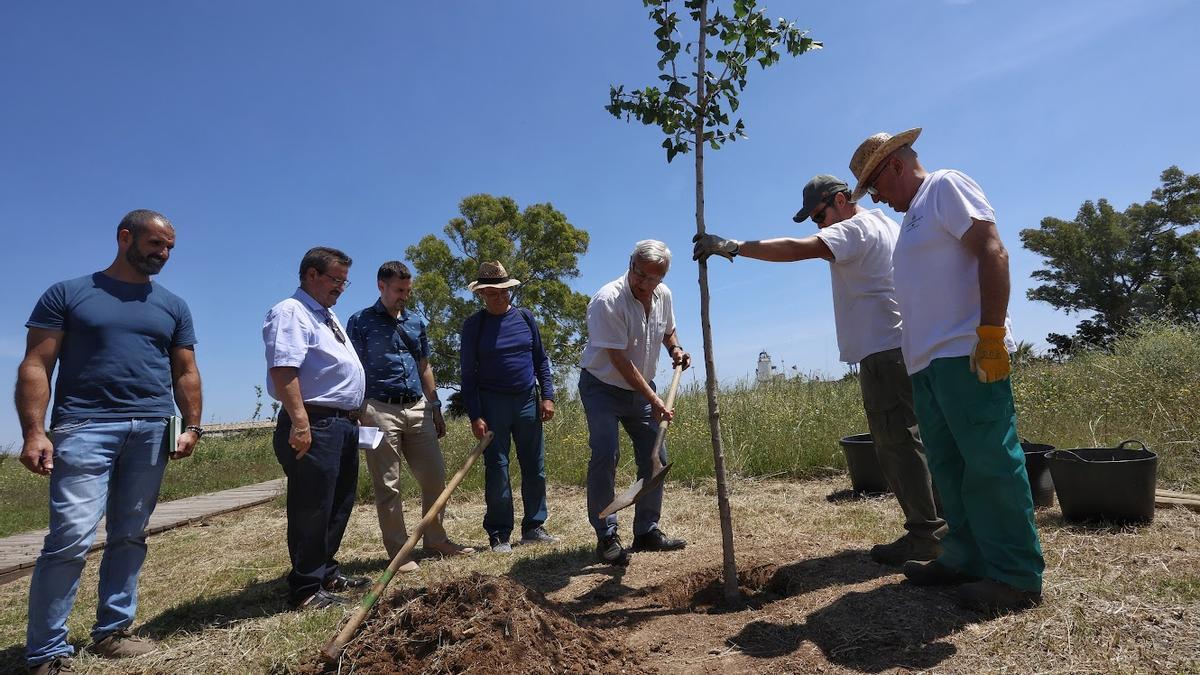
(322,488)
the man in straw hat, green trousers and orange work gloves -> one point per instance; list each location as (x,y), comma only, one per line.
(951,272)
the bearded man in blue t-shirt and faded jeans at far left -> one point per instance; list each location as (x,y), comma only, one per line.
(124,348)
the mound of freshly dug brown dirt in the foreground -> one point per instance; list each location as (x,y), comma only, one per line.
(482,625)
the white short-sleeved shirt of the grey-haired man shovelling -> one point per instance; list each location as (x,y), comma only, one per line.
(619,321)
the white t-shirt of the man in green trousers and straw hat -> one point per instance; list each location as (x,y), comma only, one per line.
(937,277)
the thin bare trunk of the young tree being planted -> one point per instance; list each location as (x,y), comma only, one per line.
(715,414)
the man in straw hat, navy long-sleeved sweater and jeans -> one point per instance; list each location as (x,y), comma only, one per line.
(508,390)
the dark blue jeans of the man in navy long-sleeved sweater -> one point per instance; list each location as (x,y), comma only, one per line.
(513,417)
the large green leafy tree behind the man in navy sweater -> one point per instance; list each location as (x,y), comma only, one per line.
(537,246)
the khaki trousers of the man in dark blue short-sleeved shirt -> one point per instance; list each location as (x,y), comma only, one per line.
(409,432)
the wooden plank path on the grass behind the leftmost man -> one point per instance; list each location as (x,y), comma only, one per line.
(20,552)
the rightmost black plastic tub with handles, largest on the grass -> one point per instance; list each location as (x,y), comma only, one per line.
(1114,485)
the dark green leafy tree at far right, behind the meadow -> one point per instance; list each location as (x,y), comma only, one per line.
(1121,266)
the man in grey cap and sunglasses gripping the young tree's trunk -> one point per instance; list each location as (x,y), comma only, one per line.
(859,246)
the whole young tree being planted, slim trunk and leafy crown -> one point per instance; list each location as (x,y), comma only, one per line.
(693,111)
